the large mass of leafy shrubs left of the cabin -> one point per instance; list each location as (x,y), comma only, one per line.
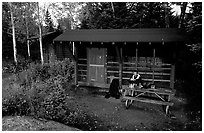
(39,90)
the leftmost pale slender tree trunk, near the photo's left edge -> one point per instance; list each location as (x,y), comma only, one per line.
(13,33)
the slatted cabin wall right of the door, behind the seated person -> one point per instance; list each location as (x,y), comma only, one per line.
(157,70)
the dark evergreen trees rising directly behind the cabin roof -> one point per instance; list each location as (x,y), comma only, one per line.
(125,15)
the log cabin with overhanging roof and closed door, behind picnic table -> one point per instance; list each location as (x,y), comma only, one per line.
(101,54)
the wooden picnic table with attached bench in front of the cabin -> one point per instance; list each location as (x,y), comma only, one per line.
(159,96)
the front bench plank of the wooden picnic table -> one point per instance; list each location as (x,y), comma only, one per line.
(149,101)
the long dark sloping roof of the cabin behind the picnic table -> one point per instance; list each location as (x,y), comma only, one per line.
(123,35)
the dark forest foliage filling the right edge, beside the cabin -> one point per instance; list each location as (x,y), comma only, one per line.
(190,65)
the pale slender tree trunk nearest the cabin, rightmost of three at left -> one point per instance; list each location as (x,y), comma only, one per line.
(40,35)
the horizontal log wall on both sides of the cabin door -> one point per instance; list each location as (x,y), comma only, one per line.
(151,67)
